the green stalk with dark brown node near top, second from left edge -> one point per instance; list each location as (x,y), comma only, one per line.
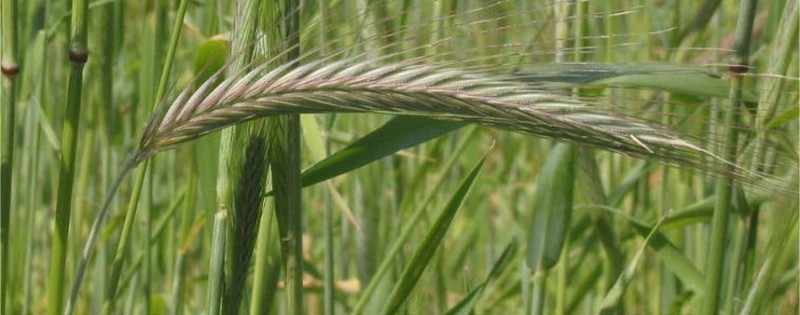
(78,55)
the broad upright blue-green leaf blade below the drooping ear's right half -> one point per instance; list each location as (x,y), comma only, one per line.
(552,208)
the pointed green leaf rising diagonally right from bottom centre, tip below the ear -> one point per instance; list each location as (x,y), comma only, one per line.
(425,252)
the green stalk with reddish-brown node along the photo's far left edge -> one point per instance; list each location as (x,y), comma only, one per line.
(10,69)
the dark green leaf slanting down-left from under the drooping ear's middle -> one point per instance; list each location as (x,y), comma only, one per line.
(397,134)
